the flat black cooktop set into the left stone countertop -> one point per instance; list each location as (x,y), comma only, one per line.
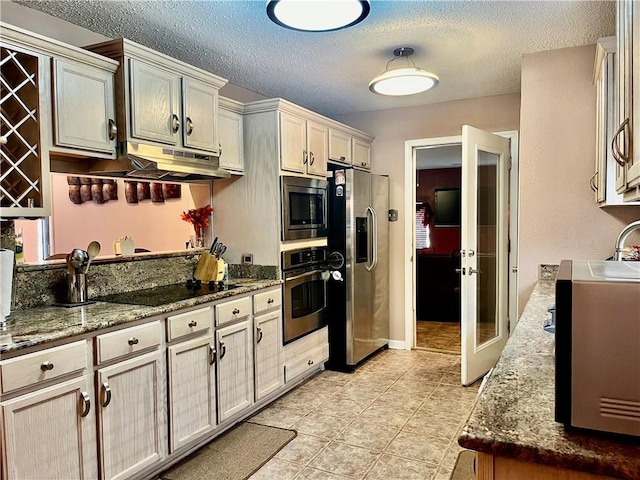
(156,296)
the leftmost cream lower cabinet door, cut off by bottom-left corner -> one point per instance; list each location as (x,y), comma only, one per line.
(50,433)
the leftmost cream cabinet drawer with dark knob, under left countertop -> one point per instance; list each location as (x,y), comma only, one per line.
(40,366)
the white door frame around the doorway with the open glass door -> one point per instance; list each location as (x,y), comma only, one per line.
(410,228)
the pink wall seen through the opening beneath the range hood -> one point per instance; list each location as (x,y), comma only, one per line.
(154,226)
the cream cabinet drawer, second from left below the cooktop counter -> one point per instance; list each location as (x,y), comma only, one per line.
(126,341)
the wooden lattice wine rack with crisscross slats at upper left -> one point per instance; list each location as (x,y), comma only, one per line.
(24,182)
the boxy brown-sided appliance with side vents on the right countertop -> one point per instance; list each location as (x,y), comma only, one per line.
(598,346)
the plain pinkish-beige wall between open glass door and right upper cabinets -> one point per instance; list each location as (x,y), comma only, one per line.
(559,218)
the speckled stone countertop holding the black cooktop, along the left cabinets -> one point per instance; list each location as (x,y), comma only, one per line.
(36,326)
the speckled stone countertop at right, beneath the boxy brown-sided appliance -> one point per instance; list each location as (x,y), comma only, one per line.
(514,413)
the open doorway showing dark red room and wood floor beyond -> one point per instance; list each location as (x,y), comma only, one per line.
(437,241)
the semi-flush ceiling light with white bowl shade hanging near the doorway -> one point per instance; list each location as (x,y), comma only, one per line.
(405,80)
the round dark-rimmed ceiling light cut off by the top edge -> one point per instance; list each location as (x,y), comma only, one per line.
(317,15)
